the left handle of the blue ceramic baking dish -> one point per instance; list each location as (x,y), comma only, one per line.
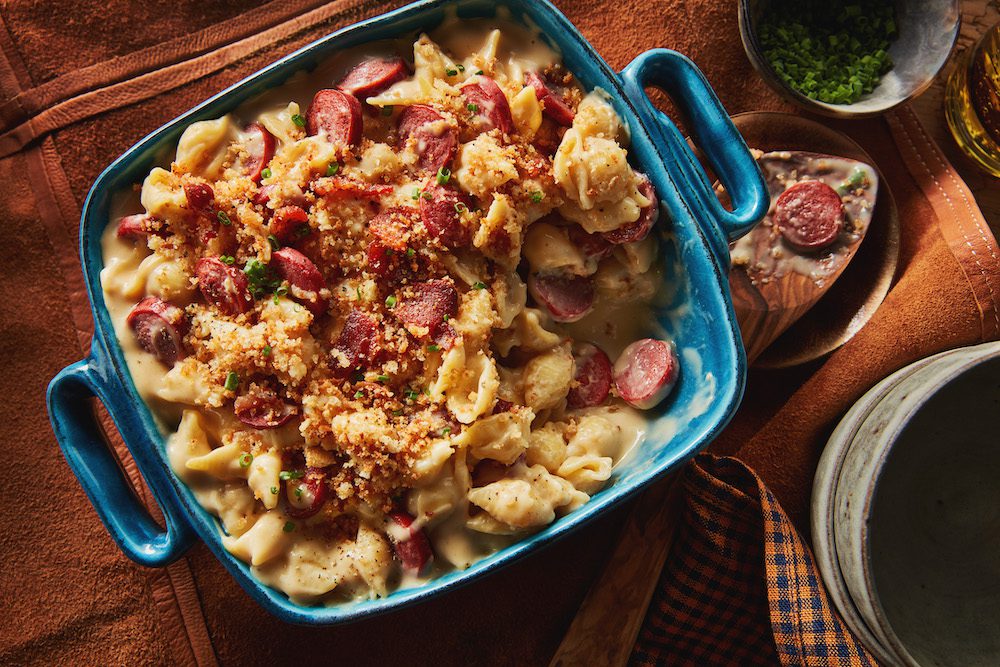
(101,475)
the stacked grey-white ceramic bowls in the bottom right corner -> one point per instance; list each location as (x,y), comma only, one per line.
(906,512)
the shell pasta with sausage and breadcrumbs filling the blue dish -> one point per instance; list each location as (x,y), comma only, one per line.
(374,322)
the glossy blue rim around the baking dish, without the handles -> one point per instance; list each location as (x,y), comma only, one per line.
(108,358)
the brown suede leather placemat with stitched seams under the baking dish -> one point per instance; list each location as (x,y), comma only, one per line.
(80,83)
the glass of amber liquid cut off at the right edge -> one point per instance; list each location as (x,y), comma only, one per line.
(972,102)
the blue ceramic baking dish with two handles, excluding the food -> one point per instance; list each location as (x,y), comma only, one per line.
(699,317)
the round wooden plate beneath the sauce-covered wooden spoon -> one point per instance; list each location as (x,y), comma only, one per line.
(863,285)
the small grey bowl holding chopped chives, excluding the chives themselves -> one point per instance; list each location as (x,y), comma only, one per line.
(927,33)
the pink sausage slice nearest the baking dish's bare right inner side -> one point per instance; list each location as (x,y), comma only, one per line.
(645,372)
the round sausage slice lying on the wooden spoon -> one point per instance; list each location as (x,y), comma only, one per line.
(809,215)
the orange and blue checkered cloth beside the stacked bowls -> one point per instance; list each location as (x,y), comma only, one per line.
(741,586)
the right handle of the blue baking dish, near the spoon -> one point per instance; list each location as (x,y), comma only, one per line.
(712,132)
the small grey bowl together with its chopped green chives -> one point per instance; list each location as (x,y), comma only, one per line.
(849,58)
